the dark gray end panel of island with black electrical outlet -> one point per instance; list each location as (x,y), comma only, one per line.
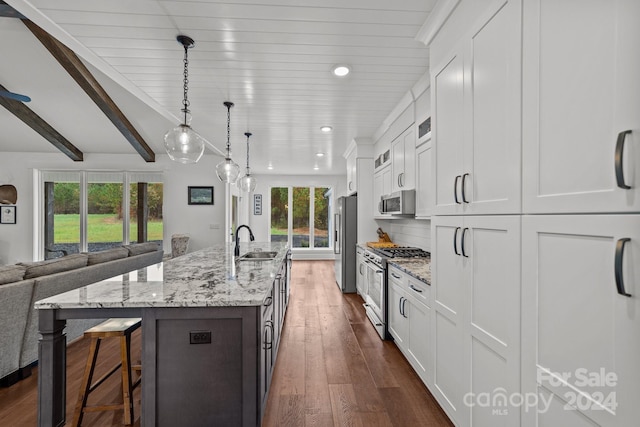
(196,384)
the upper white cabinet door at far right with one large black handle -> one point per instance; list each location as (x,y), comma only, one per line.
(576,109)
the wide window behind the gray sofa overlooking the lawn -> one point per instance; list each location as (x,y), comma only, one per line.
(92,211)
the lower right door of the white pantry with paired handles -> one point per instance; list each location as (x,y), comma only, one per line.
(491,245)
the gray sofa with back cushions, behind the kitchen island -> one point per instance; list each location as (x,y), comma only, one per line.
(23,284)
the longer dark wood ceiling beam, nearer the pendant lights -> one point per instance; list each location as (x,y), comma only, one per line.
(90,85)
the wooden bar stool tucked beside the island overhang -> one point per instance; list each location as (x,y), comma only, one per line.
(115,327)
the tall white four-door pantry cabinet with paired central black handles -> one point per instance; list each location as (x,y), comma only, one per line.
(476,258)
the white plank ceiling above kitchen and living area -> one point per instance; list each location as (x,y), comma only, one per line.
(272,58)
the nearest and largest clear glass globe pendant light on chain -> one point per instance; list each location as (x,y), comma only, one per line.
(182,143)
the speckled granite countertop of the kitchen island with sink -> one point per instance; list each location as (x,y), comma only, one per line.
(206,278)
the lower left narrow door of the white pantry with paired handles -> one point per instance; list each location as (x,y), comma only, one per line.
(447,328)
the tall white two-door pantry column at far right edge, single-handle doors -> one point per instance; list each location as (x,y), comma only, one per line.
(581,146)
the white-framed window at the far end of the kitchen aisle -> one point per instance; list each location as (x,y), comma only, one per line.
(306,224)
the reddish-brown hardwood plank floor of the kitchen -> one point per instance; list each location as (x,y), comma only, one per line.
(332,369)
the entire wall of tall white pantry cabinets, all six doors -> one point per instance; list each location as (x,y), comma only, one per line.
(536,233)
